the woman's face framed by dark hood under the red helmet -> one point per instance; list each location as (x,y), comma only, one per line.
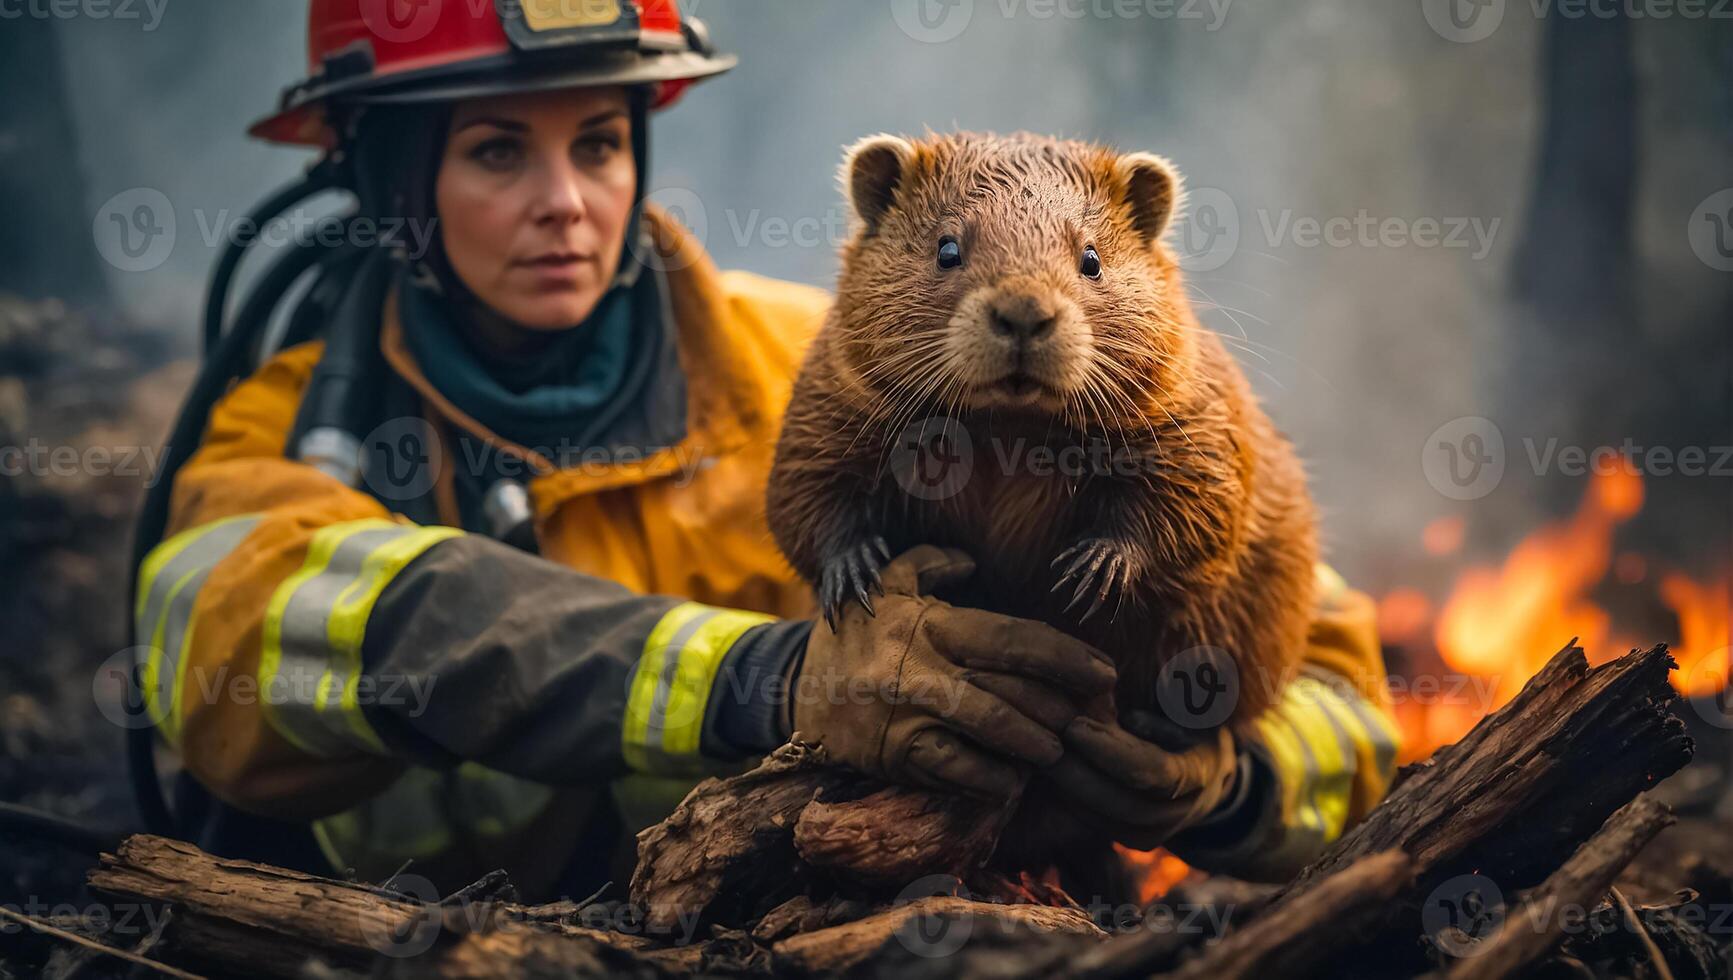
(535,193)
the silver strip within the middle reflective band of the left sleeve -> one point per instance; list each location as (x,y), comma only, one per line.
(308,684)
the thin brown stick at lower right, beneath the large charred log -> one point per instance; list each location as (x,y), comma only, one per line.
(1538,925)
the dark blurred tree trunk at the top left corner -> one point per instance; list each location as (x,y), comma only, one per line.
(48,249)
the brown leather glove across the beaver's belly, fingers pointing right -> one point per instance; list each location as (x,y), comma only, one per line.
(937,695)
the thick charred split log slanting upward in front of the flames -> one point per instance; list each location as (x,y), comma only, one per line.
(1519,794)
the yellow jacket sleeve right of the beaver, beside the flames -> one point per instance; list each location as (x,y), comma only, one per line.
(1320,761)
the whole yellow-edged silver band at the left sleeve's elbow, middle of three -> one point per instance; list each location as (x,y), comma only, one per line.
(315,629)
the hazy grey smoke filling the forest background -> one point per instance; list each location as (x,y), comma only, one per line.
(1373,173)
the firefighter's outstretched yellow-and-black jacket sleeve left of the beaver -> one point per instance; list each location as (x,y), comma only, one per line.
(302,646)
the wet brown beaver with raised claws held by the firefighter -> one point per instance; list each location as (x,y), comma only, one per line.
(1013,369)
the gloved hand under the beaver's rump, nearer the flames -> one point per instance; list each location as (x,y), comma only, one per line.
(1138,792)
